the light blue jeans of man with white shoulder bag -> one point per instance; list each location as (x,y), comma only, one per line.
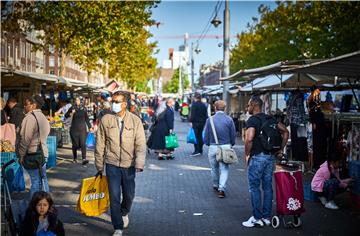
(219,170)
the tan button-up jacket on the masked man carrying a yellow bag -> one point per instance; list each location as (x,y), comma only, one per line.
(132,150)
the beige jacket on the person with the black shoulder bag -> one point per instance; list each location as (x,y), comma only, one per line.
(29,135)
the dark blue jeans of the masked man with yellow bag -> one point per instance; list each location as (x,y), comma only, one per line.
(120,179)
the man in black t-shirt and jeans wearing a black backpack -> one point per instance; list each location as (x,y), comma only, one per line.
(260,164)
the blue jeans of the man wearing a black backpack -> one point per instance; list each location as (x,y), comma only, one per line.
(260,171)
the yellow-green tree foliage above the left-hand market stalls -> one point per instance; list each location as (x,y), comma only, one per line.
(113,31)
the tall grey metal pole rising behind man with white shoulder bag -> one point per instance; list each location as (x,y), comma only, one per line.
(226,66)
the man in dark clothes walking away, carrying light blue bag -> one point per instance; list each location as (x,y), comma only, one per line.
(198,116)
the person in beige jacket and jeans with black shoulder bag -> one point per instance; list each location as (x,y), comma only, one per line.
(35,129)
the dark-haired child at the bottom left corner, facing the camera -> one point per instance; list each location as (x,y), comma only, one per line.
(41,217)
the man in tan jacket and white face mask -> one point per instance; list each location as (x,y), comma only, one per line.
(121,145)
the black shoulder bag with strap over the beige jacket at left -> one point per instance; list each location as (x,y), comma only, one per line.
(35,160)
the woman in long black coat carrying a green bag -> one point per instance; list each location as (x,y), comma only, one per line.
(164,125)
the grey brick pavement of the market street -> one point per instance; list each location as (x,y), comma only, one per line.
(175,197)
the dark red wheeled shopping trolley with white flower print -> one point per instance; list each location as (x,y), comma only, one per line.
(289,194)
